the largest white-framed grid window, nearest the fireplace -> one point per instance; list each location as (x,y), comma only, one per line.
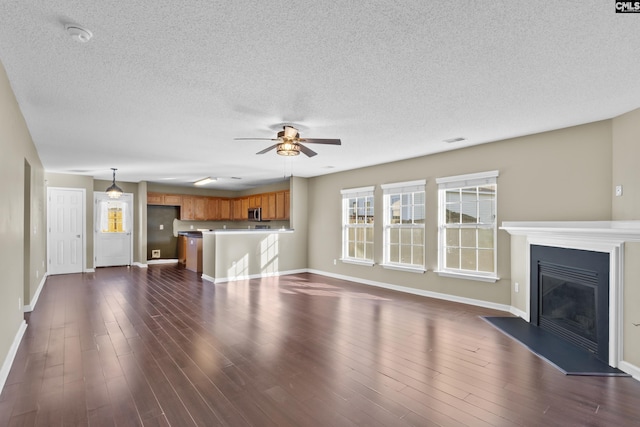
(467,226)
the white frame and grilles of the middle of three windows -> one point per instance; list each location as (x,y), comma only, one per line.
(404,188)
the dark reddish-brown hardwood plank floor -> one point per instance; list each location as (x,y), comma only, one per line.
(159,347)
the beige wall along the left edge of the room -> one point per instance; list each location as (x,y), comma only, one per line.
(22,219)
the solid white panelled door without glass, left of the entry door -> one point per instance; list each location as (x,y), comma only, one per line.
(65,228)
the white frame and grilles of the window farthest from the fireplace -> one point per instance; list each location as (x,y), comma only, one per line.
(364,228)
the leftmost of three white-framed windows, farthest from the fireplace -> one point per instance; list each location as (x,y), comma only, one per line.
(357,225)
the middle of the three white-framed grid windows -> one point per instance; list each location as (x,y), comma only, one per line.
(404,215)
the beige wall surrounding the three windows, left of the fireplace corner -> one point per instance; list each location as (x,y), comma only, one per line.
(559,175)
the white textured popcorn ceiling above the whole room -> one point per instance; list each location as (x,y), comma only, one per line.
(164,86)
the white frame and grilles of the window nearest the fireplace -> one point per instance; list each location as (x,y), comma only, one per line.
(460,182)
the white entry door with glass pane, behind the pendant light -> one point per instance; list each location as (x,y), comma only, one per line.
(113,243)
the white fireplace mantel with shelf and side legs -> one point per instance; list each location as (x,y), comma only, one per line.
(599,236)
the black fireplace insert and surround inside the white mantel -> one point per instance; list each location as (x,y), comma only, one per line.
(570,296)
